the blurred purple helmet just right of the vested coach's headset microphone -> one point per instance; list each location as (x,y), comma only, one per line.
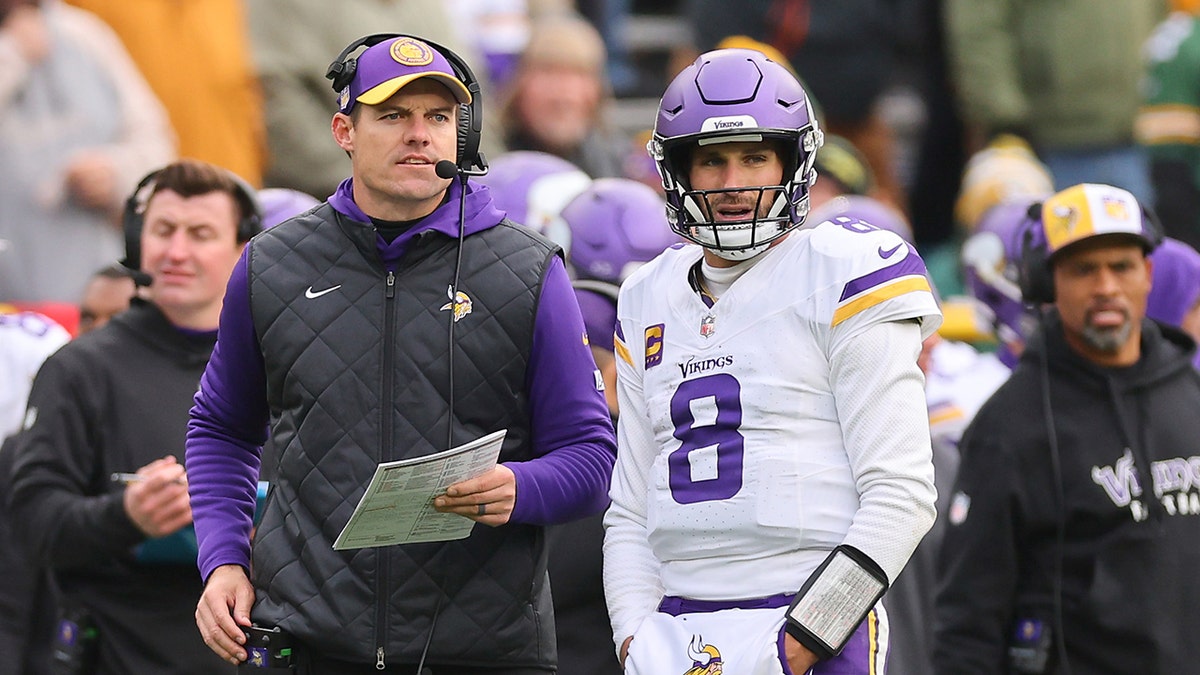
(533,188)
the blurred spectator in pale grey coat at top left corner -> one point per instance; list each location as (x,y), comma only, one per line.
(79,127)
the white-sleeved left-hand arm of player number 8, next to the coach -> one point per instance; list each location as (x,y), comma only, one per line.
(632,577)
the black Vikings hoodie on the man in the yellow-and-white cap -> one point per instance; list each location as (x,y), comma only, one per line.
(1126,446)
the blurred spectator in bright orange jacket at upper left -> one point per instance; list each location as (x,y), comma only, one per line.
(196,57)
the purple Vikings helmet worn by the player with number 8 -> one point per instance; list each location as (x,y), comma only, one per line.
(735,95)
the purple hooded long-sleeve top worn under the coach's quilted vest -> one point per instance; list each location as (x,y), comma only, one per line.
(571,431)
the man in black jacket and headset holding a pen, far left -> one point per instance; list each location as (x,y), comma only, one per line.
(99,488)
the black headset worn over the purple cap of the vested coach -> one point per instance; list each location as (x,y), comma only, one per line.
(469,160)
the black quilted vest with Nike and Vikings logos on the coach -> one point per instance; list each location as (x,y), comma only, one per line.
(359,375)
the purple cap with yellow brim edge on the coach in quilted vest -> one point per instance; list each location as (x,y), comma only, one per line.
(383,69)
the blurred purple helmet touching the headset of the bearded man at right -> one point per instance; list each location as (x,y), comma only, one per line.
(992,260)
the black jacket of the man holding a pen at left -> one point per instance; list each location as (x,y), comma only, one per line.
(113,402)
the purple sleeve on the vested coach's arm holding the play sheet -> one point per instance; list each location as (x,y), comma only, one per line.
(572,432)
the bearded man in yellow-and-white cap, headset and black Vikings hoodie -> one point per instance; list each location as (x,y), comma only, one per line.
(1073,535)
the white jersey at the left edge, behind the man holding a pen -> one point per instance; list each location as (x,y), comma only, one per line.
(27,339)
